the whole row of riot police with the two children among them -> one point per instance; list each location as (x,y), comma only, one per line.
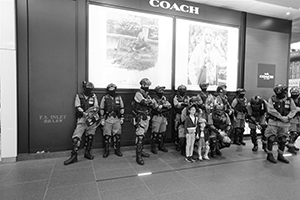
(204,124)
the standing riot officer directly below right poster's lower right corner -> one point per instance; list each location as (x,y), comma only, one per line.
(239,106)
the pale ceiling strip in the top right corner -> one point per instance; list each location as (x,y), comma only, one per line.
(272,8)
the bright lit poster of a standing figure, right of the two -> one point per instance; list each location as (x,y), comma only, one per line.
(206,53)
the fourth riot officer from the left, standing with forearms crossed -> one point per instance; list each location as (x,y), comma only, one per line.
(159,120)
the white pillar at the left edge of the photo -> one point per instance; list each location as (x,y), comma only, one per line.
(8,81)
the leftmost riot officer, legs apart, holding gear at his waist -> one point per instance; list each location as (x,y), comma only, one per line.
(86,103)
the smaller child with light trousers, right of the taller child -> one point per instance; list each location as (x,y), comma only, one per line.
(203,140)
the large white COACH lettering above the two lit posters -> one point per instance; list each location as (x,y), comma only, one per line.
(174,6)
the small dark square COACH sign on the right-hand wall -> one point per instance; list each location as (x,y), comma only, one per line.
(266,75)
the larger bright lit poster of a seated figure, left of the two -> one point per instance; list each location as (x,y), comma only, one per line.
(126,46)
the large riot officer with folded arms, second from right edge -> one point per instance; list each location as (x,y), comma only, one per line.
(281,109)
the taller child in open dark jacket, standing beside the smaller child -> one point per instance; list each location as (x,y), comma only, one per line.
(190,127)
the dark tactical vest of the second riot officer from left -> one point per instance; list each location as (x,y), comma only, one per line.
(112,105)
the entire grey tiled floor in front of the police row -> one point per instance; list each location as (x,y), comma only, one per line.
(239,174)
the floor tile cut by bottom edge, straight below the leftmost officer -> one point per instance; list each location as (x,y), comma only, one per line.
(86,191)
